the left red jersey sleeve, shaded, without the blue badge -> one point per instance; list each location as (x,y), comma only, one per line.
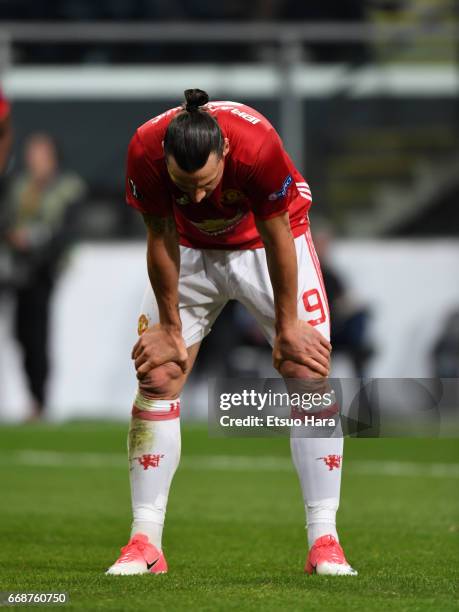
(145,188)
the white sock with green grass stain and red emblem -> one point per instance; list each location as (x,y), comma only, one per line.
(154,454)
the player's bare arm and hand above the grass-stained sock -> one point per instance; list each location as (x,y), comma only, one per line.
(163,342)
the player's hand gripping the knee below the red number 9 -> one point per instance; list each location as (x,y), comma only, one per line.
(304,345)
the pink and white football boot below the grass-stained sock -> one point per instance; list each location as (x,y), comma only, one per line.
(139,557)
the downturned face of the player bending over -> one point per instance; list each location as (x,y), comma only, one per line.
(201,183)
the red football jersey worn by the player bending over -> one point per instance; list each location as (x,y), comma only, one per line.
(259,179)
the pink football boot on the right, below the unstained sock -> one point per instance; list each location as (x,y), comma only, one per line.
(326,558)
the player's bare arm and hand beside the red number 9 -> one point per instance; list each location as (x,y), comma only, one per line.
(295,340)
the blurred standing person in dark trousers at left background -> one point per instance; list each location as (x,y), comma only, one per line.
(42,204)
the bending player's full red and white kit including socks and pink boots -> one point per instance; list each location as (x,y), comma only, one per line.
(222,258)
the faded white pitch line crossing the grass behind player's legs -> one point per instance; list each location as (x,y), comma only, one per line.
(230,463)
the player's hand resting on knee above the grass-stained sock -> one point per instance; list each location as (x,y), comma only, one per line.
(157,345)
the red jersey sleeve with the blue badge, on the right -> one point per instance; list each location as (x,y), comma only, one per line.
(270,185)
